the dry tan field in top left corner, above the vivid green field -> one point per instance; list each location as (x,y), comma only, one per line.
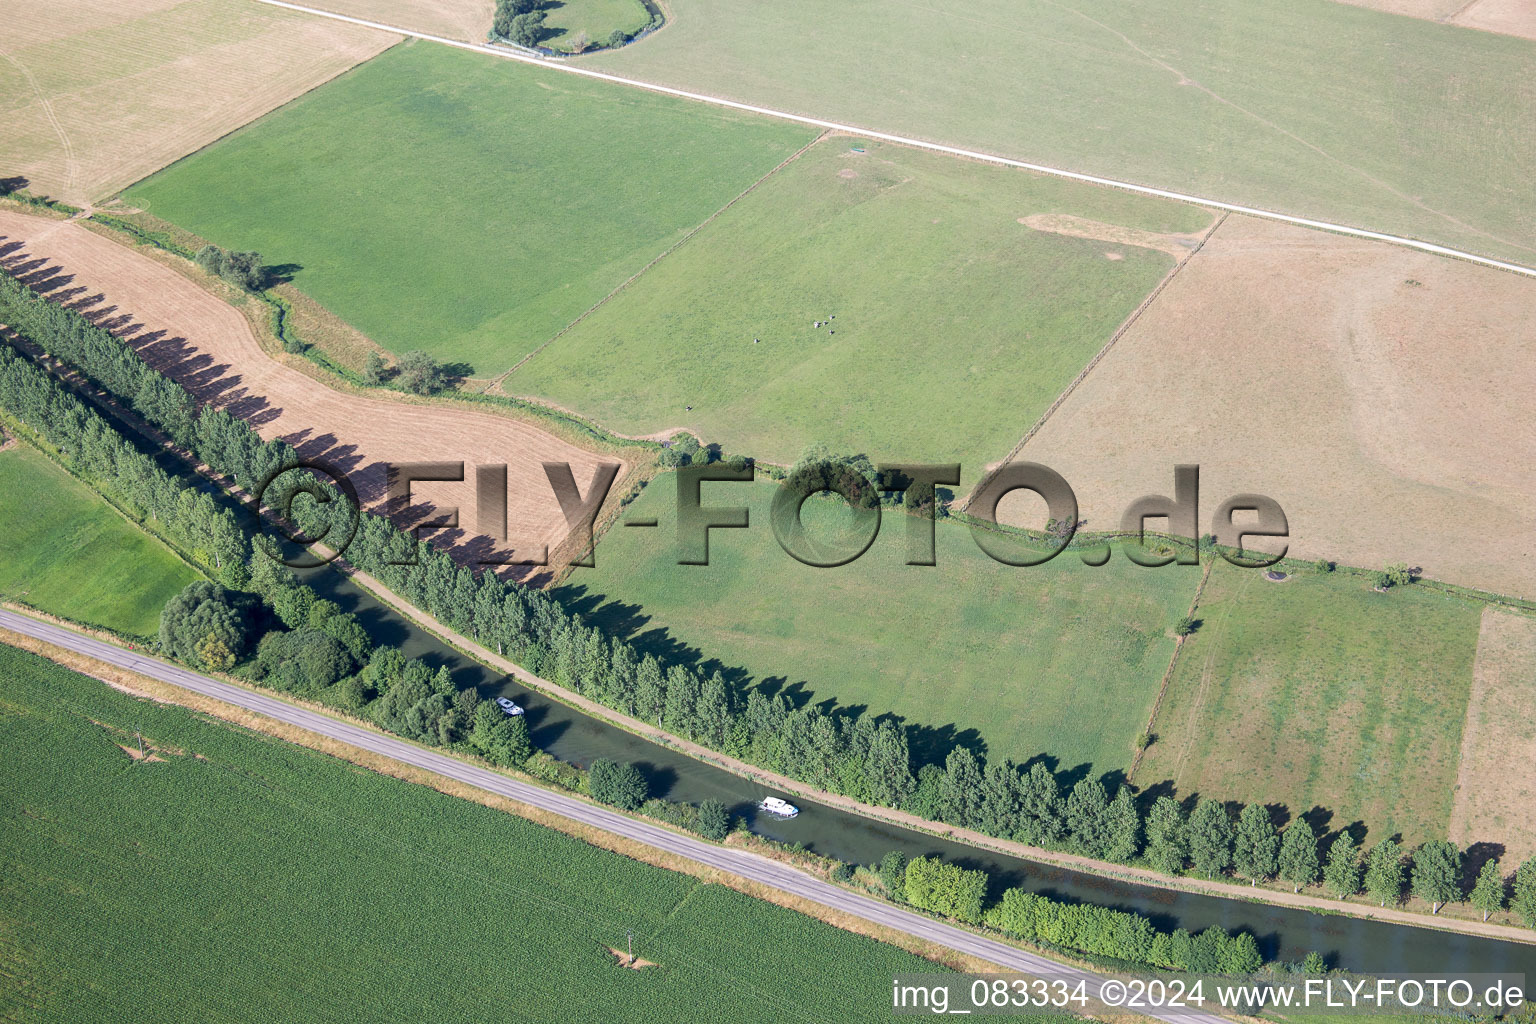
(96,94)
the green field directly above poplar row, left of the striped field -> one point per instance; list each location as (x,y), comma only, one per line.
(1056,659)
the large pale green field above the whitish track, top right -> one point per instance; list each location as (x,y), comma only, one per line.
(1309,108)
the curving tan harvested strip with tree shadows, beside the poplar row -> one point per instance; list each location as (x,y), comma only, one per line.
(208,346)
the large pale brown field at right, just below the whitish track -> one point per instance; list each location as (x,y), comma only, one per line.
(1382,397)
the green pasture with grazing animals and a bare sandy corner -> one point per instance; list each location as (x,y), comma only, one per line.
(948,325)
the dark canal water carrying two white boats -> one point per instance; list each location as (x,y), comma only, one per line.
(1283,933)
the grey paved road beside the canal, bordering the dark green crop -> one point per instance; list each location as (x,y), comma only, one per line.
(740,864)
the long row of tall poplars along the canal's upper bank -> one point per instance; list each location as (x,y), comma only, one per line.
(858,756)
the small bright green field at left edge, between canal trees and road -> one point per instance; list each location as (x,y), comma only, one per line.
(67,552)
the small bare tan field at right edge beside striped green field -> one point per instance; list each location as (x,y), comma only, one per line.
(1497,785)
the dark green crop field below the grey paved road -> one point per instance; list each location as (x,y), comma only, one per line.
(234,874)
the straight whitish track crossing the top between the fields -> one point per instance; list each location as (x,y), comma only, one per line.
(919,144)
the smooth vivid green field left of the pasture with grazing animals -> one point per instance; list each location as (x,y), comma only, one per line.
(466,205)
